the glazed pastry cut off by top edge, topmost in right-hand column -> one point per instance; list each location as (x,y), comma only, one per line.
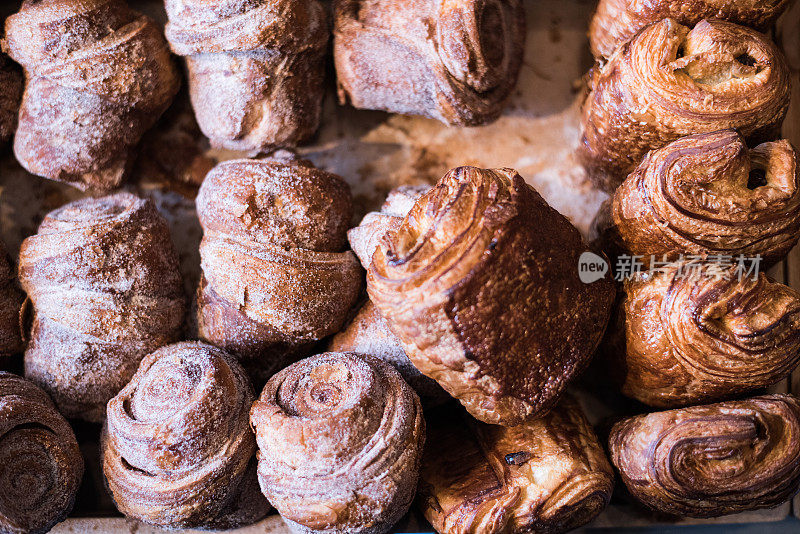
(615,21)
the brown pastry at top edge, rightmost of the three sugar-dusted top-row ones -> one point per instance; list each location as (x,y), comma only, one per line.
(456,61)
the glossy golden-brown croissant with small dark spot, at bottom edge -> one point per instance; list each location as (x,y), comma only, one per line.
(549,474)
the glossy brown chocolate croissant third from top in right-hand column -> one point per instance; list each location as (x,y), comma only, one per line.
(708,194)
